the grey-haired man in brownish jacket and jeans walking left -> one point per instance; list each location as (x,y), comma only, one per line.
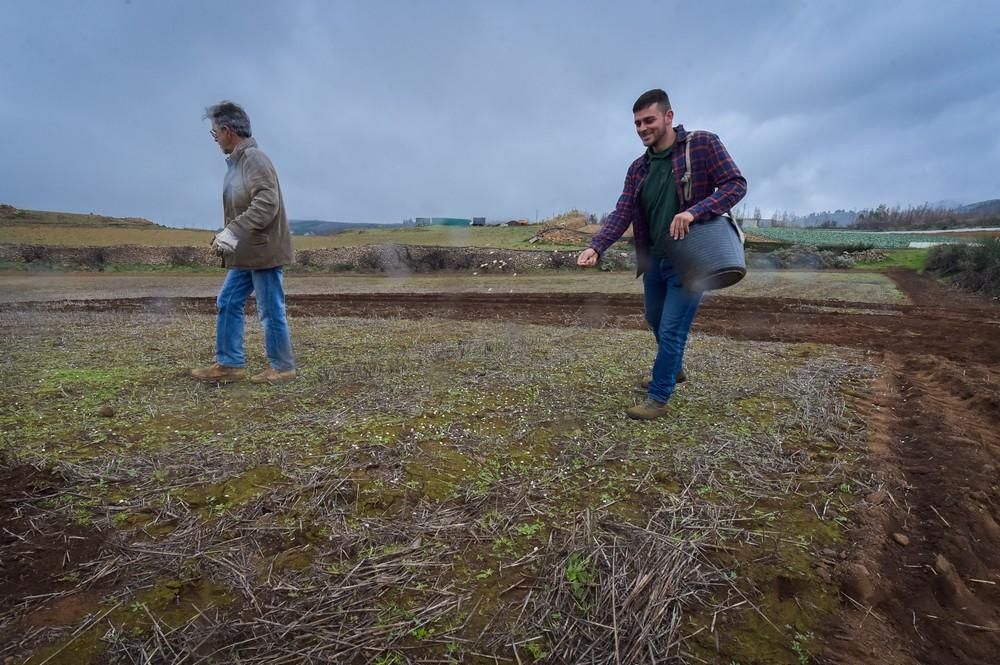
(254,244)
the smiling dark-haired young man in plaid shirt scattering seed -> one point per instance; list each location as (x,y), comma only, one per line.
(663,196)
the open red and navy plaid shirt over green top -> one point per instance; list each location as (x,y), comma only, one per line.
(716,187)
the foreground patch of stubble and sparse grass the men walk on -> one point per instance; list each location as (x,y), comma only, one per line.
(433,490)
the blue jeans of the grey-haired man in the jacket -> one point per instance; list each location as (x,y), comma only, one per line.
(267,285)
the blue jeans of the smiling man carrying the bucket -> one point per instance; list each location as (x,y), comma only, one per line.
(670,309)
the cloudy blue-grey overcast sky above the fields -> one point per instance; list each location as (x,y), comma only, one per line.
(379,111)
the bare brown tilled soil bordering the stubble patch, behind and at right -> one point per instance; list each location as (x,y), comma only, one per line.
(923,574)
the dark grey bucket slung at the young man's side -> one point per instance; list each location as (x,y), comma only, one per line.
(710,256)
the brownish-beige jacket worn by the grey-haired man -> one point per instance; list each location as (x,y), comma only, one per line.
(255,211)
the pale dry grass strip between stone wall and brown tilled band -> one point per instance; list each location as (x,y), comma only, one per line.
(843,286)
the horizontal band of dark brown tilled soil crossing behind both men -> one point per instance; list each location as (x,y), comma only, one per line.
(949,328)
